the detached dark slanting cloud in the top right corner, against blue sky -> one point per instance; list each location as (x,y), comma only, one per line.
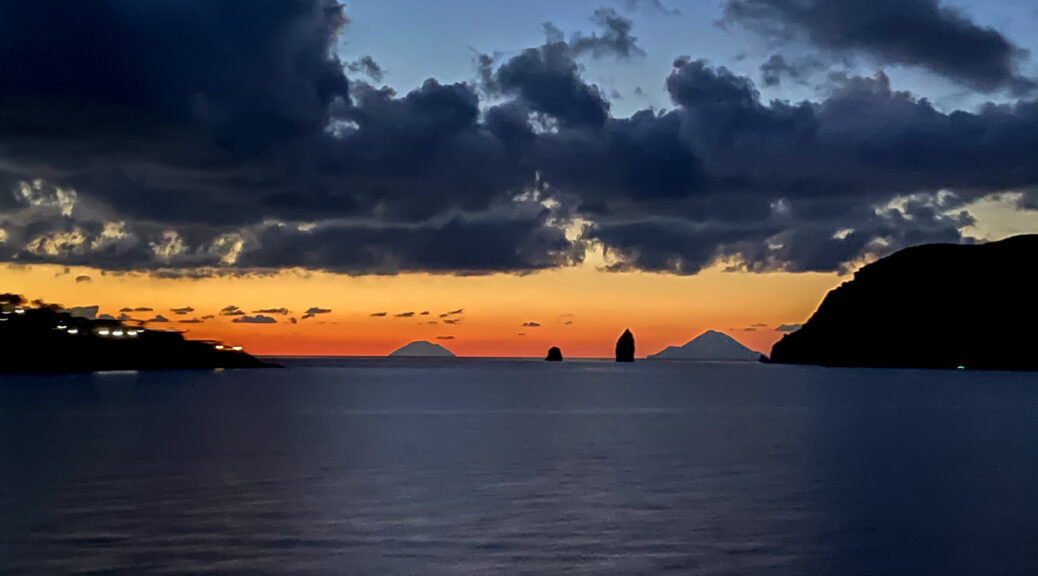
(913,33)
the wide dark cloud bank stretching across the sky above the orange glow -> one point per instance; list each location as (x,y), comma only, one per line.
(201,141)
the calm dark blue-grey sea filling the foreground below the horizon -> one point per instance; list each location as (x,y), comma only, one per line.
(389,468)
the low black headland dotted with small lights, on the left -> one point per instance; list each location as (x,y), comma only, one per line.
(44,339)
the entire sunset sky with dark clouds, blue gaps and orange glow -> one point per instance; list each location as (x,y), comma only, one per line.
(310,177)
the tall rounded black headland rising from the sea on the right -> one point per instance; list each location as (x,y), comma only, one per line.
(933,307)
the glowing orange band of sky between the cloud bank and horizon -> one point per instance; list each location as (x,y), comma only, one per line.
(582,310)
